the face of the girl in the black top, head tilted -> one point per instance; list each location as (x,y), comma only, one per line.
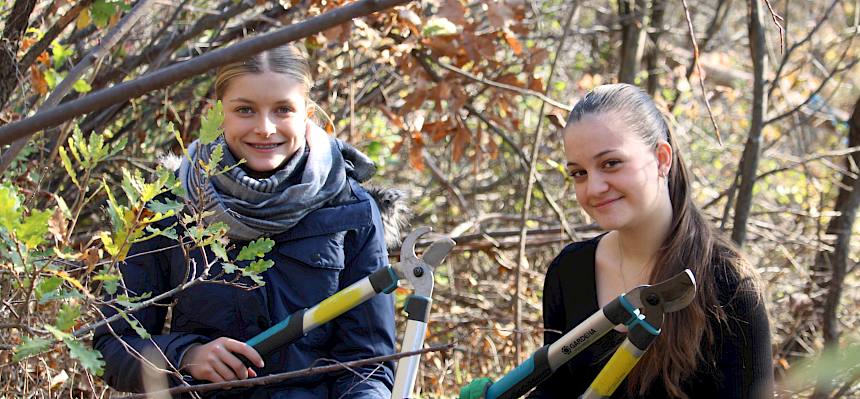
(616,175)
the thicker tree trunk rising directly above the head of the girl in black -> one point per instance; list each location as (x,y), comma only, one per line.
(632,13)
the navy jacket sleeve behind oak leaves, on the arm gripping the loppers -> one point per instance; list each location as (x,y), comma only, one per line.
(144,273)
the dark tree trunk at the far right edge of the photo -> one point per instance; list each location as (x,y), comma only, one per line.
(836,262)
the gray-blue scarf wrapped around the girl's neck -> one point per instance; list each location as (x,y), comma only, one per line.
(254,208)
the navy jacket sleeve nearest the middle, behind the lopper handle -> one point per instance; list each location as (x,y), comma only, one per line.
(367,330)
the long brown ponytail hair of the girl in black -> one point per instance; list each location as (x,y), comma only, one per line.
(691,243)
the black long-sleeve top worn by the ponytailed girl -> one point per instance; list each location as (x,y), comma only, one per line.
(738,364)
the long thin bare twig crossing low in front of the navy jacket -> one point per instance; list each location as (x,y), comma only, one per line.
(276,378)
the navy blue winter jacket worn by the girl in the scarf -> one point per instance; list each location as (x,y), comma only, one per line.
(326,251)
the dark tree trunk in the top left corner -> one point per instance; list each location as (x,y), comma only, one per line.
(16,24)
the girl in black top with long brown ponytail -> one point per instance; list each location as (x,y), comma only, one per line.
(630,178)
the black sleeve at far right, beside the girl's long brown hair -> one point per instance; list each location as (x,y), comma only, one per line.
(744,356)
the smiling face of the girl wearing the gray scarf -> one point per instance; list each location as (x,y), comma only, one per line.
(265,117)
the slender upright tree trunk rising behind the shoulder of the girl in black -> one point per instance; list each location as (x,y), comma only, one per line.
(749,161)
